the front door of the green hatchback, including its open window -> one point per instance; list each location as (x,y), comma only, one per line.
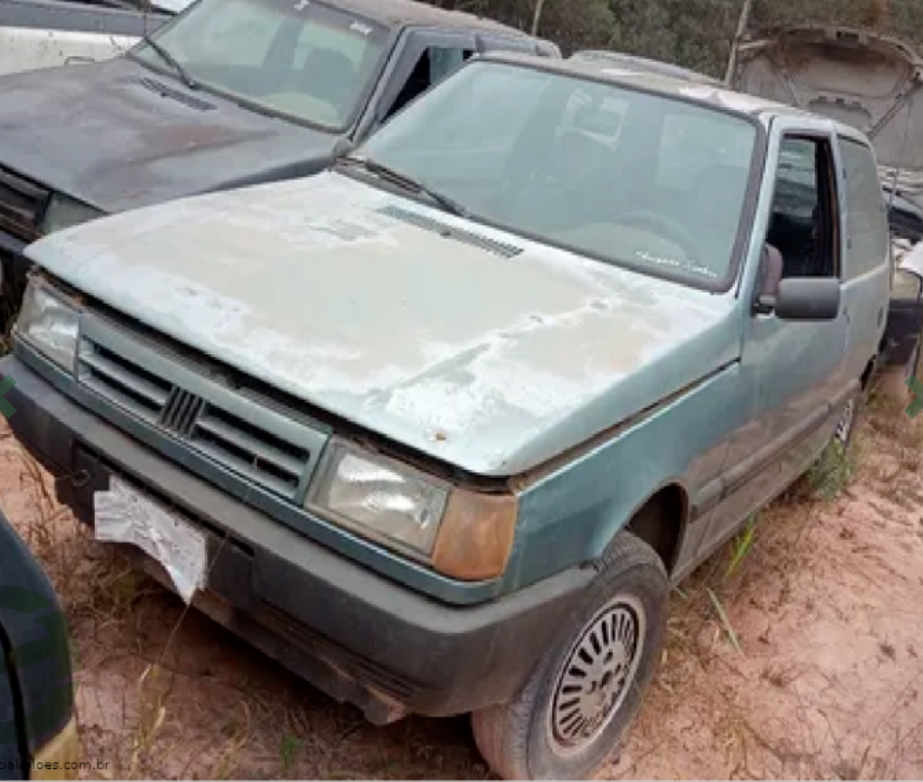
(794,369)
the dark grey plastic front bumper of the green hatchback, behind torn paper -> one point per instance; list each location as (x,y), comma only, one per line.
(353,633)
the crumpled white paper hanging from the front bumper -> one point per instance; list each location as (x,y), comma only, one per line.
(125,515)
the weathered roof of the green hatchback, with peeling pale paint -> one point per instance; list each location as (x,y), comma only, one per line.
(707,94)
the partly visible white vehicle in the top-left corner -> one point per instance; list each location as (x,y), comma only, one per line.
(50,33)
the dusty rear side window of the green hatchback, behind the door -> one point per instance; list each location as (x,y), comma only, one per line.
(866,215)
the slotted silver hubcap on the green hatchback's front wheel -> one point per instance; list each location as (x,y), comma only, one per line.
(597,674)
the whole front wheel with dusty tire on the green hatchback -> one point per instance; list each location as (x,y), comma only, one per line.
(532,736)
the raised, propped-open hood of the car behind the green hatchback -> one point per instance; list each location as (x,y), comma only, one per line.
(872,82)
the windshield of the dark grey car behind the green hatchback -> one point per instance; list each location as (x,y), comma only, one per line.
(302,59)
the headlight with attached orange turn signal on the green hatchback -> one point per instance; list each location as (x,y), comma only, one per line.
(462,534)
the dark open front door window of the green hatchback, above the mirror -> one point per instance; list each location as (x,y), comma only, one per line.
(803,226)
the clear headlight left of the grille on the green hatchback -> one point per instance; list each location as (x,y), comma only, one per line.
(49,324)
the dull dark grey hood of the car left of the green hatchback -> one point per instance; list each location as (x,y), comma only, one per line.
(106,134)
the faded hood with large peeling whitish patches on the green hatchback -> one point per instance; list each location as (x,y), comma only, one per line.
(479,348)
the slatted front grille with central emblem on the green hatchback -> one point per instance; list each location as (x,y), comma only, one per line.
(265,458)
